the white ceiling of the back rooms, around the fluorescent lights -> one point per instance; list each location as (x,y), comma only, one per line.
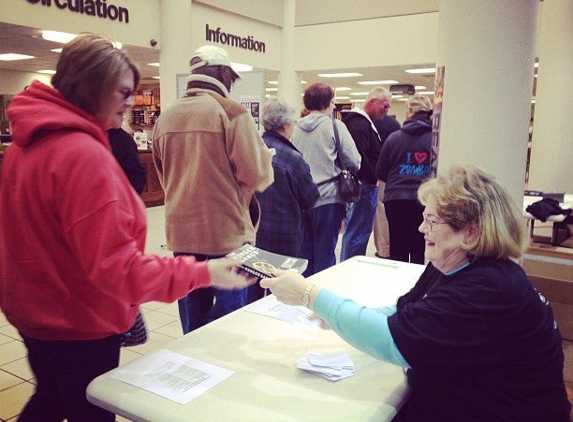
(25,40)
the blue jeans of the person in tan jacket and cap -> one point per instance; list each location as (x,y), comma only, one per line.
(202,306)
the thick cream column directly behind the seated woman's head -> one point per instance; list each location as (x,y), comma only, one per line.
(487,48)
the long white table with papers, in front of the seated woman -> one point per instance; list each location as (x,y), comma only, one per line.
(262,351)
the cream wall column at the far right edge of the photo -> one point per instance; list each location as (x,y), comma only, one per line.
(552,142)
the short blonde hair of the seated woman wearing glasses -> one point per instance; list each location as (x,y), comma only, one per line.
(469,195)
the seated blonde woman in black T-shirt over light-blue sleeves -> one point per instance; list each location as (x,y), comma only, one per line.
(480,343)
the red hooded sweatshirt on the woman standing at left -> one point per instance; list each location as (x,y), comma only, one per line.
(72,229)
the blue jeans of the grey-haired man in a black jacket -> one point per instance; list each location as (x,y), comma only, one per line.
(358,223)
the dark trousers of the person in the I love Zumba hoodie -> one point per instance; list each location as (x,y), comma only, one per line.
(406,242)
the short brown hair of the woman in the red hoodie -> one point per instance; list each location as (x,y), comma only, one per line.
(88,70)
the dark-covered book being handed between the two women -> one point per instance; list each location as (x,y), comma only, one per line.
(262,263)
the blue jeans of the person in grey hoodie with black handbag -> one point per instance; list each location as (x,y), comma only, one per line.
(321,229)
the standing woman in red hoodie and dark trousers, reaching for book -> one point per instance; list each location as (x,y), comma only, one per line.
(72,265)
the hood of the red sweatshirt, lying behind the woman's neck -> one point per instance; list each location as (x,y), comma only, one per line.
(41,108)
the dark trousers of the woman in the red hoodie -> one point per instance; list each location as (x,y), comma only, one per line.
(63,370)
